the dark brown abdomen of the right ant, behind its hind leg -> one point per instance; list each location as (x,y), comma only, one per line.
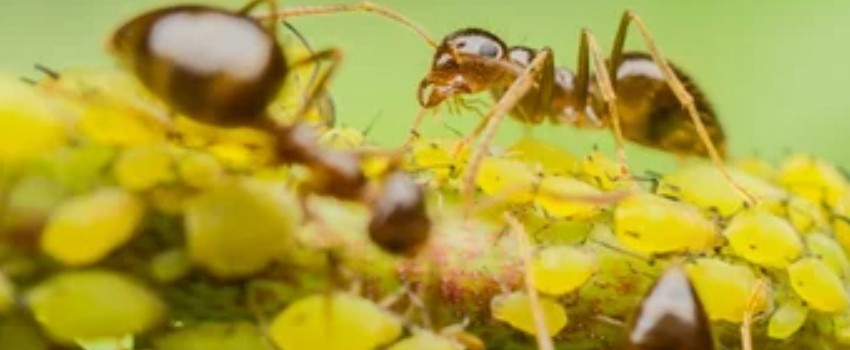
(651,115)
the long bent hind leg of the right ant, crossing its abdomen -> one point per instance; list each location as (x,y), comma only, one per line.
(678,89)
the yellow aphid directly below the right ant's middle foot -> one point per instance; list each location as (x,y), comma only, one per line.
(553,196)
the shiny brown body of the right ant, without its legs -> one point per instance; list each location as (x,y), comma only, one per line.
(648,109)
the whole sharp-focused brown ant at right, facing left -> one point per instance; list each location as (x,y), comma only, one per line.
(641,96)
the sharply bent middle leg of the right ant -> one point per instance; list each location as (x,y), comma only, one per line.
(589,49)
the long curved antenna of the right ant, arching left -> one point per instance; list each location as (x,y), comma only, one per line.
(363,6)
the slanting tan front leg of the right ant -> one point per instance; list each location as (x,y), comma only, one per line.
(494,119)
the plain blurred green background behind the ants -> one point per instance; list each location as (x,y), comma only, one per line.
(776,71)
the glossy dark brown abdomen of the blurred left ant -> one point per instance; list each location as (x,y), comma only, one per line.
(181,54)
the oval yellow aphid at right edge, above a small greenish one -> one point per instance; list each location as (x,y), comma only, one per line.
(818,285)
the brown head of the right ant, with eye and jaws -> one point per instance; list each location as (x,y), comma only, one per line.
(467,61)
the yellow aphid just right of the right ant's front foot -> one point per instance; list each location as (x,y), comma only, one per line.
(510,180)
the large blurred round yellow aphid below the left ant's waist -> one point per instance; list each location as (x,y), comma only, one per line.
(240,227)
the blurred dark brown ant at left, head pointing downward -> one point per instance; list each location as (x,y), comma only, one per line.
(223,68)
